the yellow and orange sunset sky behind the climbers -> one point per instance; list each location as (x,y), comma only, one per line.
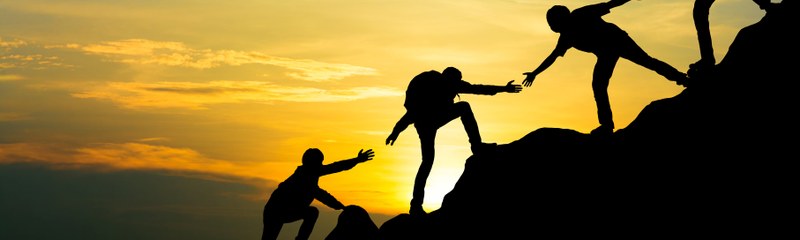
(176,119)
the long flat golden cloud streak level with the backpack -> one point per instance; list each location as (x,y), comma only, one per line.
(191,95)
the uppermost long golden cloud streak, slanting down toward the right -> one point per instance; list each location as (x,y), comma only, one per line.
(143,51)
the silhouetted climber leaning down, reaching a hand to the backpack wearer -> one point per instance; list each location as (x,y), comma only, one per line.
(584,29)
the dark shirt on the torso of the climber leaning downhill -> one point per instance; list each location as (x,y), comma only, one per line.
(587,31)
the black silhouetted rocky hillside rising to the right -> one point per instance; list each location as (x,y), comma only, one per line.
(713,161)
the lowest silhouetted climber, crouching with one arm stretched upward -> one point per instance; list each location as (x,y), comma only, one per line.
(291,201)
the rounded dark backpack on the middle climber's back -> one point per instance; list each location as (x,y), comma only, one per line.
(426,92)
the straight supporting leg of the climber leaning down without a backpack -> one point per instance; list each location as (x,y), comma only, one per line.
(601,76)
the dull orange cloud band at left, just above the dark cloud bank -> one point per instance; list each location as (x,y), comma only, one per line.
(125,156)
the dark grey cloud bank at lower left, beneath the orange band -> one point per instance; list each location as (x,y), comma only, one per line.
(38,203)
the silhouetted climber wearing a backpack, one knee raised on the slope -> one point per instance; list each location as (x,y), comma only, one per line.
(429,106)
